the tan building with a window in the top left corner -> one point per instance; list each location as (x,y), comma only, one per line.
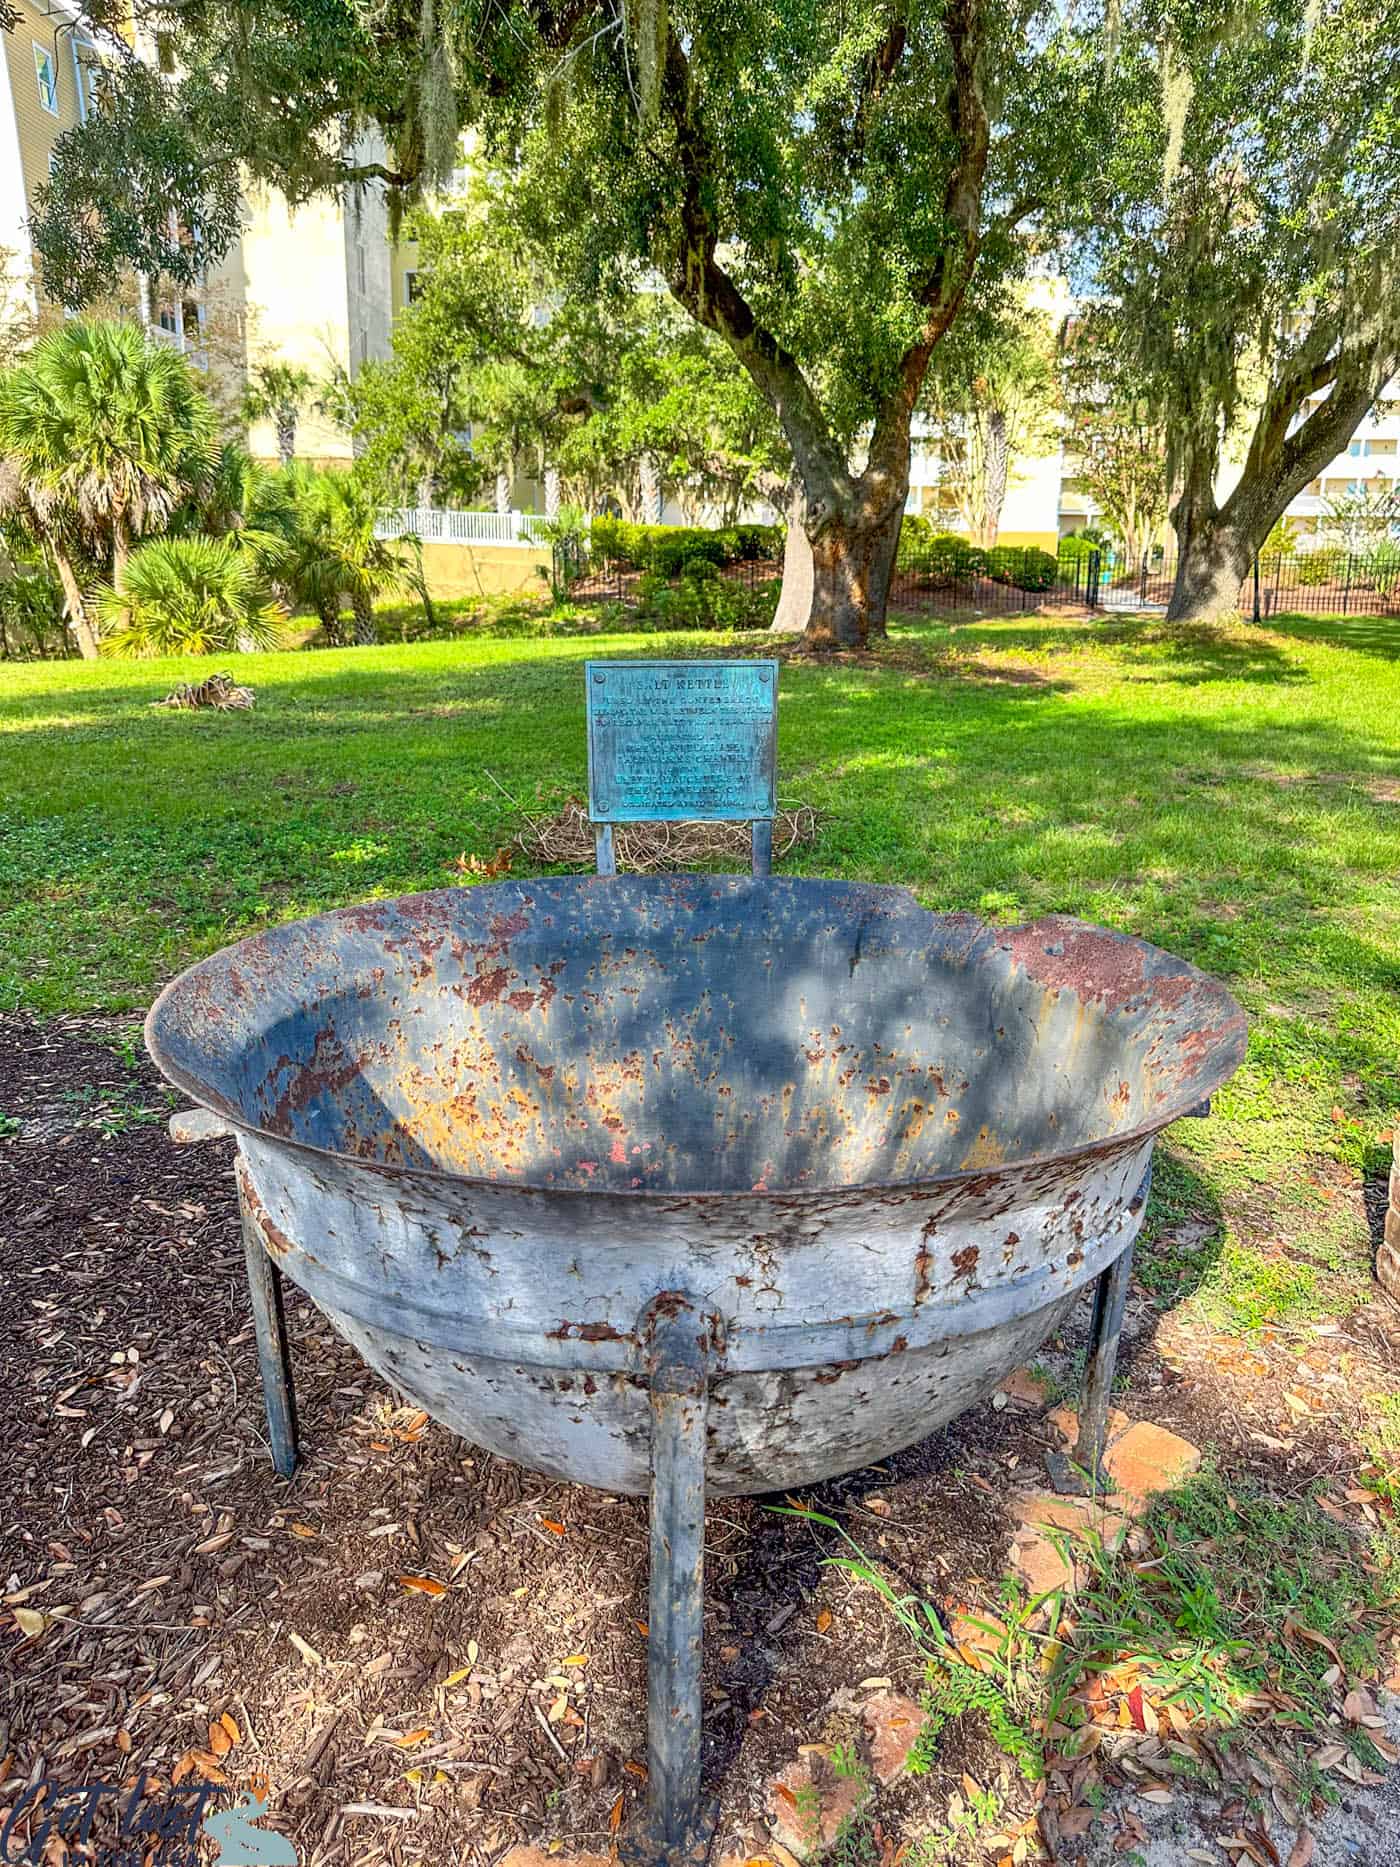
(46,87)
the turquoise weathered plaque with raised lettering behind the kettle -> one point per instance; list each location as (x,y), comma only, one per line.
(673,740)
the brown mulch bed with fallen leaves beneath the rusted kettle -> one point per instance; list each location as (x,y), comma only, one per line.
(430,1653)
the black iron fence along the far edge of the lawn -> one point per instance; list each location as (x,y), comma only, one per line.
(1317,583)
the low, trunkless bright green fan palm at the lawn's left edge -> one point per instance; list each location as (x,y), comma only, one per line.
(189,597)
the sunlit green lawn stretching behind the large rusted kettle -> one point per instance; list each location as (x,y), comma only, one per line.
(1235,798)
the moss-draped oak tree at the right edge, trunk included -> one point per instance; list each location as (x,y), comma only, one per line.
(1244,260)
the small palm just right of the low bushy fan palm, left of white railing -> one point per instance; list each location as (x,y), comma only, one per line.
(337,557)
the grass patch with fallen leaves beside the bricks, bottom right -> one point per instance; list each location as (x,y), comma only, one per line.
(1235,1616)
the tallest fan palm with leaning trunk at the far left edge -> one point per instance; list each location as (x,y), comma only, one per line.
(102,434)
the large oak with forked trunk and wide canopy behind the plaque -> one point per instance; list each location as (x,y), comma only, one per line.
(817,184)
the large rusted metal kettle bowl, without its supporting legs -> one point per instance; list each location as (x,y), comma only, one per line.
(488,1129)
